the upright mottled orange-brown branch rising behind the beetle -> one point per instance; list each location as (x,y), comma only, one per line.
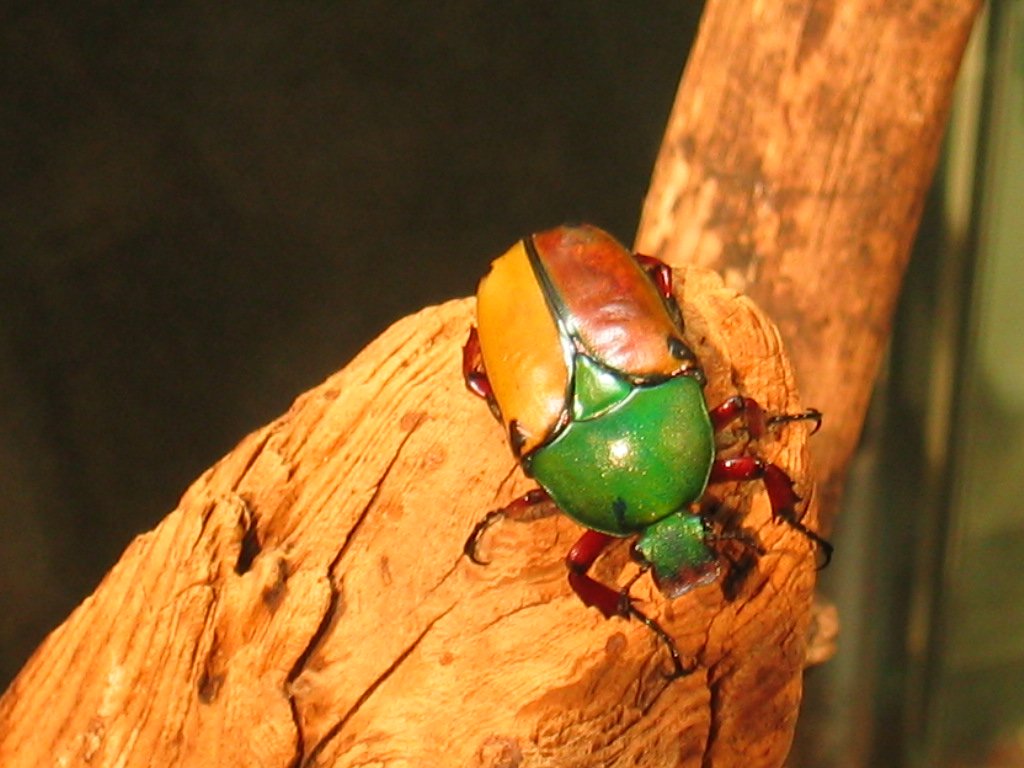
(796,163)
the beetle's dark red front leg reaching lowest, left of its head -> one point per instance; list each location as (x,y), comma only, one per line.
(612,603)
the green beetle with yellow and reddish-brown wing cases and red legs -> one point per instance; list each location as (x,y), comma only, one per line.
(579,351)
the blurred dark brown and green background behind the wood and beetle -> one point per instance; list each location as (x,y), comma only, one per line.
(206,210)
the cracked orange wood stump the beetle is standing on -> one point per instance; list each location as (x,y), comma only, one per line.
(309,601)
